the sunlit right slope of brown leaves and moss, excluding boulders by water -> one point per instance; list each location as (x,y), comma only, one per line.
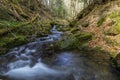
(103,23)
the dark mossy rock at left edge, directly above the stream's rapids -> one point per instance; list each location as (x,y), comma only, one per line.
(10,42)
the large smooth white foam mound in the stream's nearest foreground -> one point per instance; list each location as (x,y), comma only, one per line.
(39,72)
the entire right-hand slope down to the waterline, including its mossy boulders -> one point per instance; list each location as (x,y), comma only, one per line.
(96,33)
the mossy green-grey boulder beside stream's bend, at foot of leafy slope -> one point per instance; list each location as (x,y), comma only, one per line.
(75,41)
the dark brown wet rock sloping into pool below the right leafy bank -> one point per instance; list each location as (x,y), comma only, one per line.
(97,55)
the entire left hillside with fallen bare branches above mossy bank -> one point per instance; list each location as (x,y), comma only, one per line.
(22,21)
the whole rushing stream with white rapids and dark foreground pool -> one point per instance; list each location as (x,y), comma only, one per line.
(37,61)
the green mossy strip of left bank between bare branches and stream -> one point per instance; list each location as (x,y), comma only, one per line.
(14,33)
